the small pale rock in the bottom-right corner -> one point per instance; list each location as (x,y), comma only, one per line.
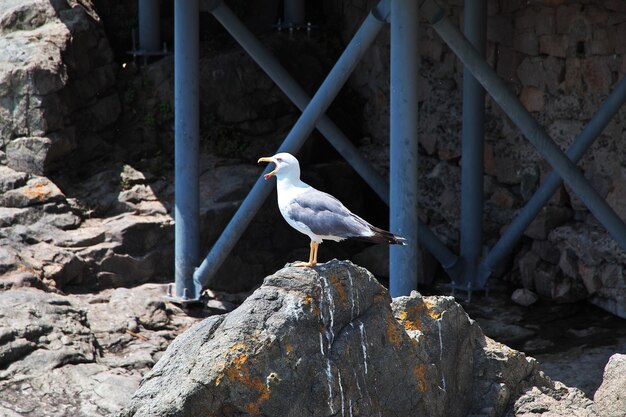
(610,398)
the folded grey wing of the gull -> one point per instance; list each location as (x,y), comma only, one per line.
(327,216)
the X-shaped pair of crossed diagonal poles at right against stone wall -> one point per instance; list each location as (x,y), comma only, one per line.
(565,167)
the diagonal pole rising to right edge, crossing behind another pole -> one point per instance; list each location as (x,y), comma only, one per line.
(583,141)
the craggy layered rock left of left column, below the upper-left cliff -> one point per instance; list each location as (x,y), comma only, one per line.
(49,236)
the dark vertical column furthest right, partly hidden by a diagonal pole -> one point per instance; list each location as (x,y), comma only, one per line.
(473,135)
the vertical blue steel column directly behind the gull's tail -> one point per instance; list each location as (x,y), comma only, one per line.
(403,260)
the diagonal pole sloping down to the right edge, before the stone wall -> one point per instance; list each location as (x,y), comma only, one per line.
(570,173)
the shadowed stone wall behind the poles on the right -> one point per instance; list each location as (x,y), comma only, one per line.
(562,58)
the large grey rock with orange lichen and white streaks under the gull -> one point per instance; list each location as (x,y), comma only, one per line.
(329,341)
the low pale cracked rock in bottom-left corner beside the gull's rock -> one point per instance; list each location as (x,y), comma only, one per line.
(80,355)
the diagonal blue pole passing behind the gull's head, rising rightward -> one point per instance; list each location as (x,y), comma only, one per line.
(295,139)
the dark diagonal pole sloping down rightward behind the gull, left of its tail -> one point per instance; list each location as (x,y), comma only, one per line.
(298,96)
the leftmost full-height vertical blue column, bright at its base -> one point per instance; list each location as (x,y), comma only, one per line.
(187,129)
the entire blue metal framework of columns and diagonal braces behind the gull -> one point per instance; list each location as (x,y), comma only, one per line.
(467,272)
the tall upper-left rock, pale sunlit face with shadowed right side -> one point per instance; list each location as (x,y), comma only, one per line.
(56,82)
